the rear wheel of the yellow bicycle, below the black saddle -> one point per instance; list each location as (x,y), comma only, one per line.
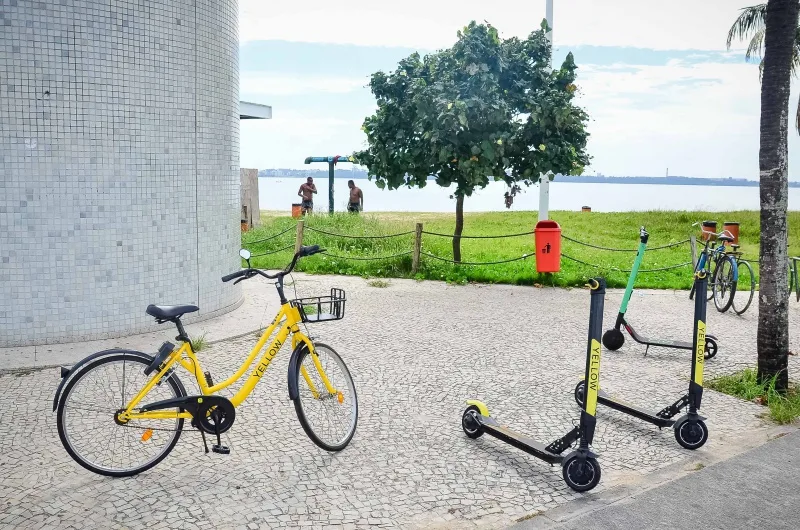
(87,422)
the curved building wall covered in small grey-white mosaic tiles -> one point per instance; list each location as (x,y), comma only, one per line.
(119,164)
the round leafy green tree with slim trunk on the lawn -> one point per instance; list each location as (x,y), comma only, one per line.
(483,109)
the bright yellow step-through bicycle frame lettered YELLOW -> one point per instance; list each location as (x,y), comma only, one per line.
(186,357)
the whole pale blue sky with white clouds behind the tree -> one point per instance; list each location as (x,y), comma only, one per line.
(662,91)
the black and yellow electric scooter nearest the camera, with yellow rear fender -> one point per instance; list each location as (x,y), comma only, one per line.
(579,468)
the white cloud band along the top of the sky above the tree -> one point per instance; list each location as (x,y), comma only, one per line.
(678,24)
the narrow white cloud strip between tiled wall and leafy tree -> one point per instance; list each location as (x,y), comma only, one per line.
(276,84)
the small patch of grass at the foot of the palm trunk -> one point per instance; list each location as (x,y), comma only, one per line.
(783,408)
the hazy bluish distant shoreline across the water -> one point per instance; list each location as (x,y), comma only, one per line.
(585,179)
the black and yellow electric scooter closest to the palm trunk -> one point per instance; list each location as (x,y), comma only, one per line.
(690,430)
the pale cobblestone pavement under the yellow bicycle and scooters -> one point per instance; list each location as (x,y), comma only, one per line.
(416,351)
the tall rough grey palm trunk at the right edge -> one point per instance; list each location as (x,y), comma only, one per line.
(773,158)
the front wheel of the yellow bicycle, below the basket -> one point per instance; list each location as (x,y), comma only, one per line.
(327,405)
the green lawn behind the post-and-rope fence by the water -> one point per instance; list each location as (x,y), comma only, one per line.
(616,230)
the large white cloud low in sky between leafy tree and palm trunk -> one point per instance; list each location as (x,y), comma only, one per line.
(673,117)
